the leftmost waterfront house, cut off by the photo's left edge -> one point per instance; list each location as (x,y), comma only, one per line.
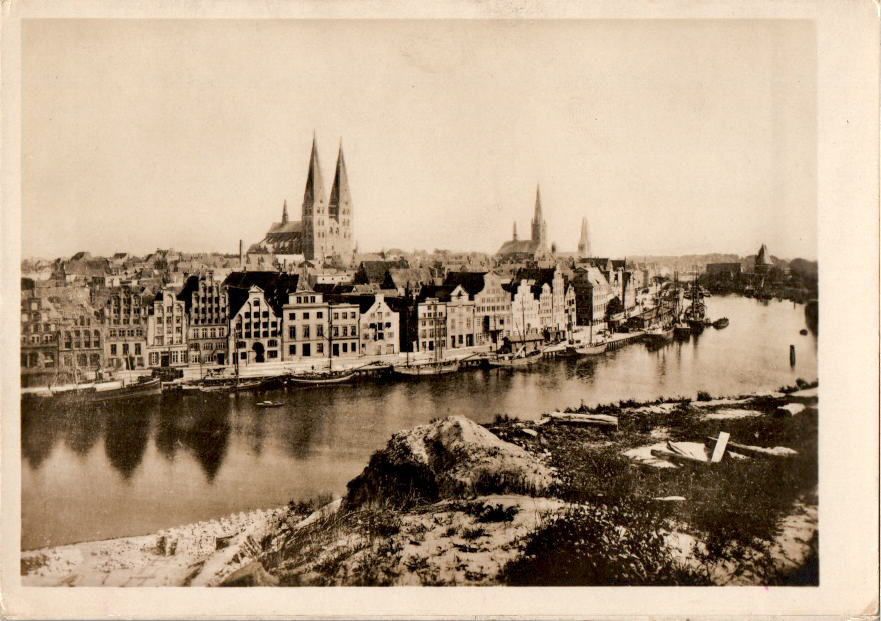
(39,337)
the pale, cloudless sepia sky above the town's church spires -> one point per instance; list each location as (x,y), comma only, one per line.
(670,137)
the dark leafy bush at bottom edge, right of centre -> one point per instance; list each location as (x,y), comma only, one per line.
(594,546)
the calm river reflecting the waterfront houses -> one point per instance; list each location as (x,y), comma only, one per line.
(118,471)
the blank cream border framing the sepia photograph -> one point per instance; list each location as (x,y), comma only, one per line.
(848,130)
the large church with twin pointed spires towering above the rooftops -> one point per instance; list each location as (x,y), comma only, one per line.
(325,230)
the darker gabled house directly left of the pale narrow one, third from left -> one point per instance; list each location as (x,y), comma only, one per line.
(124,316)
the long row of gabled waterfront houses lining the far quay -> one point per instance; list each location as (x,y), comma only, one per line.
(253,317)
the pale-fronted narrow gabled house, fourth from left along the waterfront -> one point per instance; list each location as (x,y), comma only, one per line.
(167,331)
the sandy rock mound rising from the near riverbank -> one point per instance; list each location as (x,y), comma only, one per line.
(448,458)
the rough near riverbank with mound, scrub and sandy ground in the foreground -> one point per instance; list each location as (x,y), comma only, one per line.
(517,502)
